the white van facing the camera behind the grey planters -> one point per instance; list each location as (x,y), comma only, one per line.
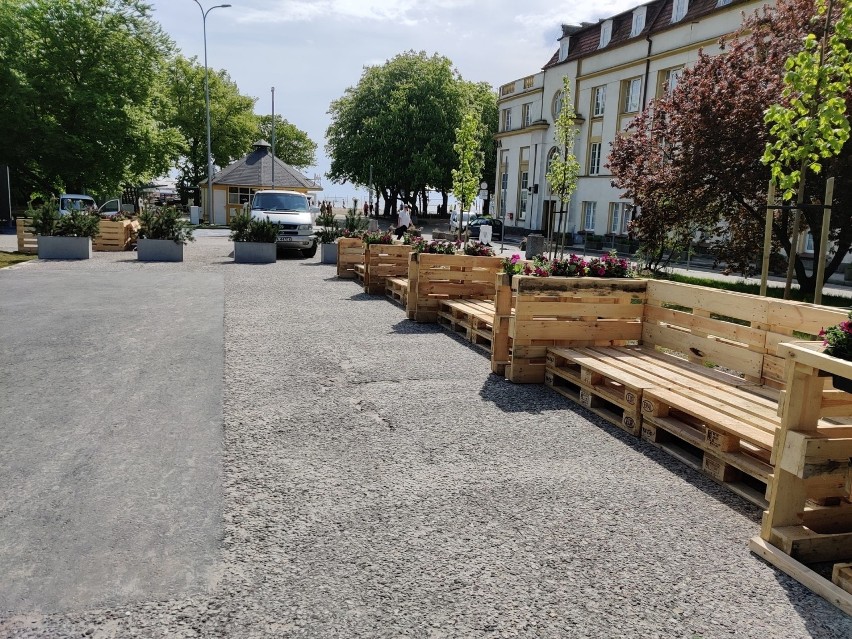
(291,212)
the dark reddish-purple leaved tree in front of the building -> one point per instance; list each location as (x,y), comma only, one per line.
(693,159)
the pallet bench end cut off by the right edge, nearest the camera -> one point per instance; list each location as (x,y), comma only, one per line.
(809,520)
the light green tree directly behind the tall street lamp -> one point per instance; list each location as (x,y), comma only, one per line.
(234,126)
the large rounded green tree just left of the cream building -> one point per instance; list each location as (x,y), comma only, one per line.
(401,118)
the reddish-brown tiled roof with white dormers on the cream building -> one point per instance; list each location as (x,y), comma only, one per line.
(657,18)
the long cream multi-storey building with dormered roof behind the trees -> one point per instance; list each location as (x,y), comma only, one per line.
(616,67)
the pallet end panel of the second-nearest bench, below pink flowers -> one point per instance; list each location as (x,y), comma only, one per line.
(445,277)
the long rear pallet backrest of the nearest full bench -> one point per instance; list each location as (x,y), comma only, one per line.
(736,331)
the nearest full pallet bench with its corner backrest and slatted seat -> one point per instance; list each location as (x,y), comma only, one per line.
(692,370)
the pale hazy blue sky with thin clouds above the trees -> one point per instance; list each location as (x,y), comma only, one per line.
(311,51)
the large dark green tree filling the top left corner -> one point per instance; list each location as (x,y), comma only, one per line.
(81,102)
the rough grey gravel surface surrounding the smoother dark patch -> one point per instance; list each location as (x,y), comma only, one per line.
(379,482)
